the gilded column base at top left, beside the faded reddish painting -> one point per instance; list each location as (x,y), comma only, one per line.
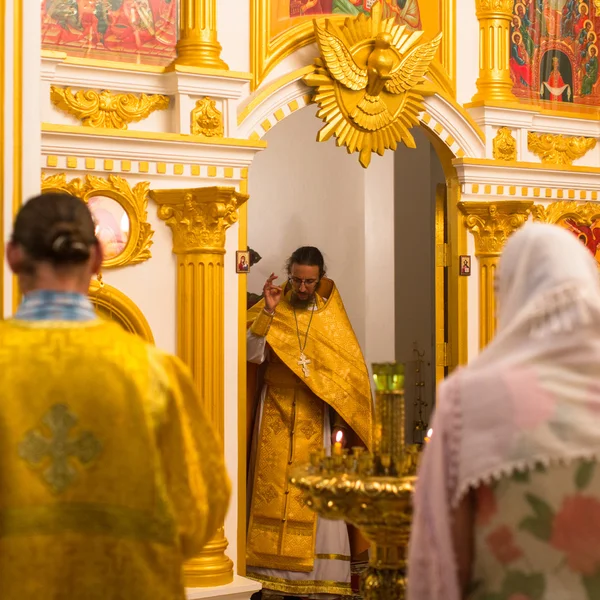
(198,45)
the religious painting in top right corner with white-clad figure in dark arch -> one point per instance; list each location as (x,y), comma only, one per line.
(554,56)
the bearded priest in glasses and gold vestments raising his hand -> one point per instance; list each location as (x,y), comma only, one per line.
(315,386)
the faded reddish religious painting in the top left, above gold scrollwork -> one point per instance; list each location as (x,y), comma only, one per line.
(143,31)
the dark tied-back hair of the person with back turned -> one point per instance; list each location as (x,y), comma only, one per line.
(57,228)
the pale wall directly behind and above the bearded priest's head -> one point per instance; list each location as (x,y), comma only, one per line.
(304,193)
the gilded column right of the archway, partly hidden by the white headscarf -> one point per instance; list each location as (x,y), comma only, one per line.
(491,224)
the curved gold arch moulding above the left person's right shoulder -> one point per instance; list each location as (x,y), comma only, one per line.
(114,305)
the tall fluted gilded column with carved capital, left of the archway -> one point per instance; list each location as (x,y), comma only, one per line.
(198,219)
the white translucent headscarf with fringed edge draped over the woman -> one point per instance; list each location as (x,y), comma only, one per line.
(533,395)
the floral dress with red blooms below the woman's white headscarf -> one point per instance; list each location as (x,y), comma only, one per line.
(537,535)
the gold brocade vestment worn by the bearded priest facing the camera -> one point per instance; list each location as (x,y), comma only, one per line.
(281,529)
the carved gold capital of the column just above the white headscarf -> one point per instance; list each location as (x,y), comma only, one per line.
(491,223)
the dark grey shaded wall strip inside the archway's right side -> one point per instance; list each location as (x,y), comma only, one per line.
(417,172)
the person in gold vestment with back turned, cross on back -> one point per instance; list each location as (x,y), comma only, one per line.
(110,474)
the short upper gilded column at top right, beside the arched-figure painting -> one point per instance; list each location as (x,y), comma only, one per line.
(494,82)
